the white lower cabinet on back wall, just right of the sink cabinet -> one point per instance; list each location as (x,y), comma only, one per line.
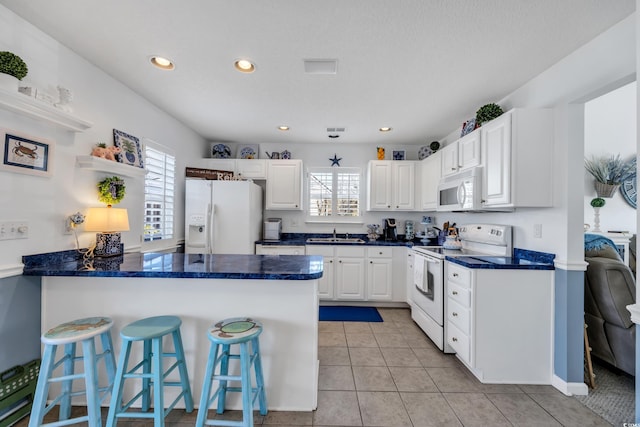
(379,273)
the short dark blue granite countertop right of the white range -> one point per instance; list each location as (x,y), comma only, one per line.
(521,260)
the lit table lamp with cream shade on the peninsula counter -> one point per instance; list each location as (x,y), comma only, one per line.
(108,222)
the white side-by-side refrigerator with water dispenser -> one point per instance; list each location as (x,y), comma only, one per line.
(222,217)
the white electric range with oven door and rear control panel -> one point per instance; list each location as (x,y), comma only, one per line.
(428,305)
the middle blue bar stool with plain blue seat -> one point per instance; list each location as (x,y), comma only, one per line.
(150,331)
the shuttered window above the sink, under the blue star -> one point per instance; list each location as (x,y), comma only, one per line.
(334,193)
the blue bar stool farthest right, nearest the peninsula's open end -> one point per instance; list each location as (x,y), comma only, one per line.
(241,331)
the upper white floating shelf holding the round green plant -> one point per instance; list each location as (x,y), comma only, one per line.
(23,104)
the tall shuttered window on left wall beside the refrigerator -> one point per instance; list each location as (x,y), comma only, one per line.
(158,194)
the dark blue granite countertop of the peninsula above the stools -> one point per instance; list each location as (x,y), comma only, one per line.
(177,265)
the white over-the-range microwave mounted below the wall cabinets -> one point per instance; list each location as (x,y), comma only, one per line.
(461,191)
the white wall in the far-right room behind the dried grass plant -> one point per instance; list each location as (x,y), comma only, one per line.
(610,129)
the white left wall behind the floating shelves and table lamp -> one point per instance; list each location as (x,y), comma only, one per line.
(108,104)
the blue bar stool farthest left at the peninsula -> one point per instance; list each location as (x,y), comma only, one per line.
(68,334)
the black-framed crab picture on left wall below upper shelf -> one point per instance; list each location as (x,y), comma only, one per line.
(26,154)
